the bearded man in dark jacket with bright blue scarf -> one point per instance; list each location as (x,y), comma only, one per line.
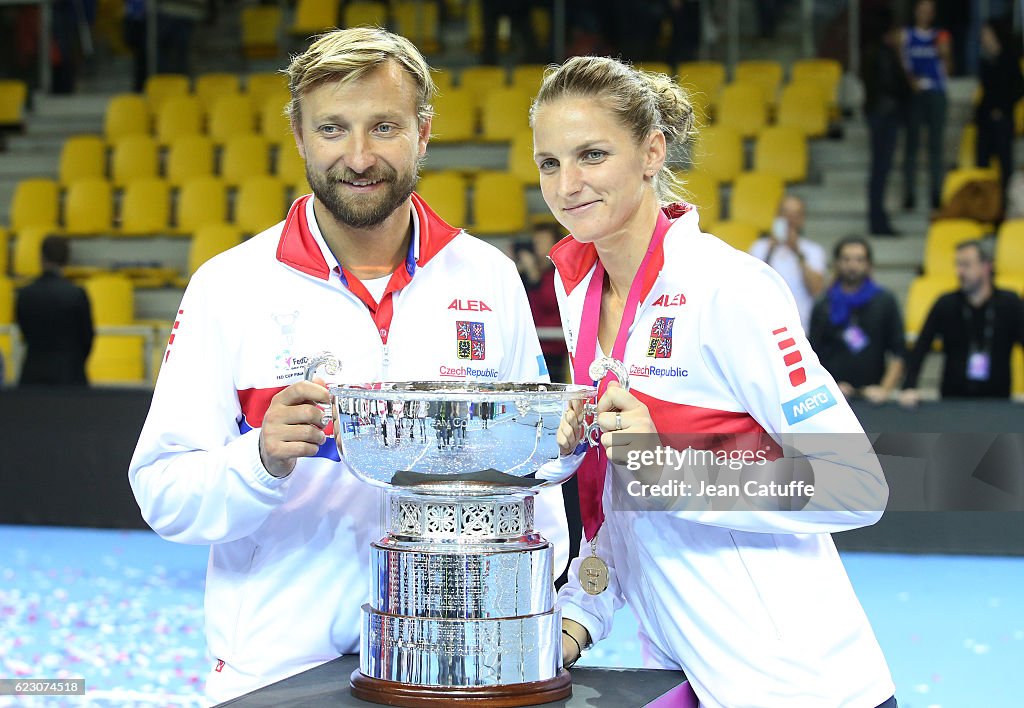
(857,327)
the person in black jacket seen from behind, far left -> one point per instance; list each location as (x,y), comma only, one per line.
(57,323)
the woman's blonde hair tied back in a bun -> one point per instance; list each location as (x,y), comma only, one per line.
(643,101)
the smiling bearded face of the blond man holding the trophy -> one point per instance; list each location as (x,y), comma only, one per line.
(363,145)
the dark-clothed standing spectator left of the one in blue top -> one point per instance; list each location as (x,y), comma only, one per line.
(887,93)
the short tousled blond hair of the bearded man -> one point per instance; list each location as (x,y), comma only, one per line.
(350,55)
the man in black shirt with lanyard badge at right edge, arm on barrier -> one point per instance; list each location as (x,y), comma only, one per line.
(978,325)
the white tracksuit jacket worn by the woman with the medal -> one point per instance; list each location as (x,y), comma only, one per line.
(755,606)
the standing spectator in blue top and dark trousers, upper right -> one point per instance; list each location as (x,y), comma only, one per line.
(927,58)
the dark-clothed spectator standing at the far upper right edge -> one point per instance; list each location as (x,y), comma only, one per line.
(1002,88)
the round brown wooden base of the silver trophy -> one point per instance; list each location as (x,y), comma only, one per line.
(413,696)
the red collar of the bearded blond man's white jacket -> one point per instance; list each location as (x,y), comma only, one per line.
(298,248)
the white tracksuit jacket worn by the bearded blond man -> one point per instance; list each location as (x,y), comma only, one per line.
(289,559)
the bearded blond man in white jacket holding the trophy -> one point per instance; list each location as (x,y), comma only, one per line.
(233,453)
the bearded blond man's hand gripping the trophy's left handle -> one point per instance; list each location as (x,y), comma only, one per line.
(293,427)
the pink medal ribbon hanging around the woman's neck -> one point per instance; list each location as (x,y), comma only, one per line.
(595,465)
